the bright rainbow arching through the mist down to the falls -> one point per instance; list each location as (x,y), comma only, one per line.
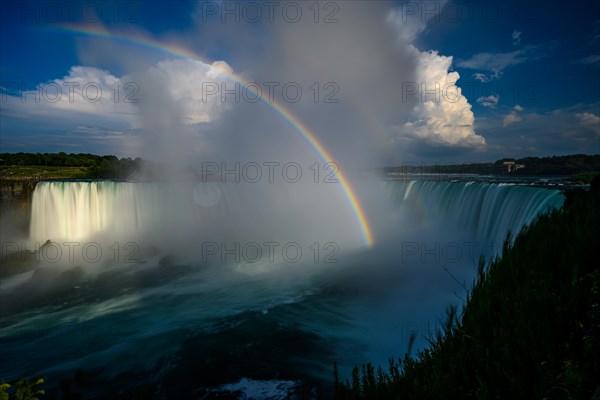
(310,136)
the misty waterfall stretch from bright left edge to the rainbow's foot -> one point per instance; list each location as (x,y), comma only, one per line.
(185,212)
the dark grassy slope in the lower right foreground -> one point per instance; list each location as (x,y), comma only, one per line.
(530,328)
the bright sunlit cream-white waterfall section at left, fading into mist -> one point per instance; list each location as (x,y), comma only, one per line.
(63,211)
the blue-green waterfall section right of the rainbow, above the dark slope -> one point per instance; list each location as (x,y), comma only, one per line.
(489,211)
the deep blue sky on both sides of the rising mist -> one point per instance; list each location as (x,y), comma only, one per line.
(530,71)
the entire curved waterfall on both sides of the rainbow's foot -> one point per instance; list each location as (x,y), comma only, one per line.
(189,213)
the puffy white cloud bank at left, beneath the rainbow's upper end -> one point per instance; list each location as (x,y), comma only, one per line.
(89,92)
